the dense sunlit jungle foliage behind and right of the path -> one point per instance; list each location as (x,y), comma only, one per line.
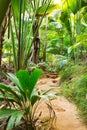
(51,36)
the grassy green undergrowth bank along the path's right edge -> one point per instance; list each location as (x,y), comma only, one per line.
(75,89)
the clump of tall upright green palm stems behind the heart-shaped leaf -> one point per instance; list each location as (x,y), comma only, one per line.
(28,16)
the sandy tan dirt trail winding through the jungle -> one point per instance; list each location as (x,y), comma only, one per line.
(66,112)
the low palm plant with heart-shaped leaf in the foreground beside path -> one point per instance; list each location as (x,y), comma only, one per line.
(22,100)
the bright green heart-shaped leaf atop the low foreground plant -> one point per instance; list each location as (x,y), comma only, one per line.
(27,81)
